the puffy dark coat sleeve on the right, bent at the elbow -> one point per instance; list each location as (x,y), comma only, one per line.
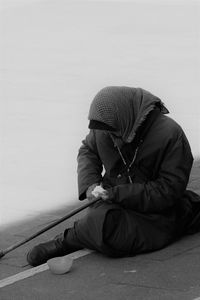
(166,190)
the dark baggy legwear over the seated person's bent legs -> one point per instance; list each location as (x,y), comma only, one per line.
(118,232)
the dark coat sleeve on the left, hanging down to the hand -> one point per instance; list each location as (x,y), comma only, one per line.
(89,165)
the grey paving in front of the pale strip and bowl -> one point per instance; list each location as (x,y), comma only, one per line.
(98,277)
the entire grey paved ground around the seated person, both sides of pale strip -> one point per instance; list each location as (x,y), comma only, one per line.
(172,273)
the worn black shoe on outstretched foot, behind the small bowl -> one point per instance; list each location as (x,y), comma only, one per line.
(42,252)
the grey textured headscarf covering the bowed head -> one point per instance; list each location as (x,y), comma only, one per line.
(124,109)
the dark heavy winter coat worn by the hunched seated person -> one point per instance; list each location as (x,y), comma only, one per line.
(159,174)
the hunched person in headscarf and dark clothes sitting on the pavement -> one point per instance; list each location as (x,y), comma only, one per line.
(137,162)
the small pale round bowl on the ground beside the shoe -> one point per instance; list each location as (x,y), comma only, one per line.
(60,265)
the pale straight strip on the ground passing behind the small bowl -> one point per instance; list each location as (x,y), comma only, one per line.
(31,272)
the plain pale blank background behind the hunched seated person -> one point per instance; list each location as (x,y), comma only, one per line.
(56,55)
